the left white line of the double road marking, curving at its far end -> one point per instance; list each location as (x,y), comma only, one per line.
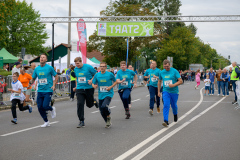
(140,145)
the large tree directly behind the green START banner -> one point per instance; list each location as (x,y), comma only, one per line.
(114,48)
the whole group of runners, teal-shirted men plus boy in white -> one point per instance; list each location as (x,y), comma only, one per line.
(87,79)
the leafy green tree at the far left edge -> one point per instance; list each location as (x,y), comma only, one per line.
(23,28)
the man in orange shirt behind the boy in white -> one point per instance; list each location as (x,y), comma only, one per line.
(25,79)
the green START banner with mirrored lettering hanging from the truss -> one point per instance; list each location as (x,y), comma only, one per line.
(125,29)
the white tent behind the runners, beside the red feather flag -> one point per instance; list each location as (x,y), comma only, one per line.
(74,54)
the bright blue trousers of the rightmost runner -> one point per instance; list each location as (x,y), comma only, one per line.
(169,98)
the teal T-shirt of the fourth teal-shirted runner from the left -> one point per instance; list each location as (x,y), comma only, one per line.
(125,74)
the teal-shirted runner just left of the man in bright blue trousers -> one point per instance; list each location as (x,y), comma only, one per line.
(153,75)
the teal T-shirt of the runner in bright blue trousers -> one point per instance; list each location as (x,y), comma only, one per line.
(169,77)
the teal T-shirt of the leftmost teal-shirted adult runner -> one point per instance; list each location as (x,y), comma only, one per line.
(44,75)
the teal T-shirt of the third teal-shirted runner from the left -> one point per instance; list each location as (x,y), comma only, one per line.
(103,81)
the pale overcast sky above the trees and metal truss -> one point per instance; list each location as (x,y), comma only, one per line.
(223,36)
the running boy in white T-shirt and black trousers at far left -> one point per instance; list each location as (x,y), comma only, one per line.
(17,97)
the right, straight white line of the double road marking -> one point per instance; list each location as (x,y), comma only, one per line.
(160,141)
